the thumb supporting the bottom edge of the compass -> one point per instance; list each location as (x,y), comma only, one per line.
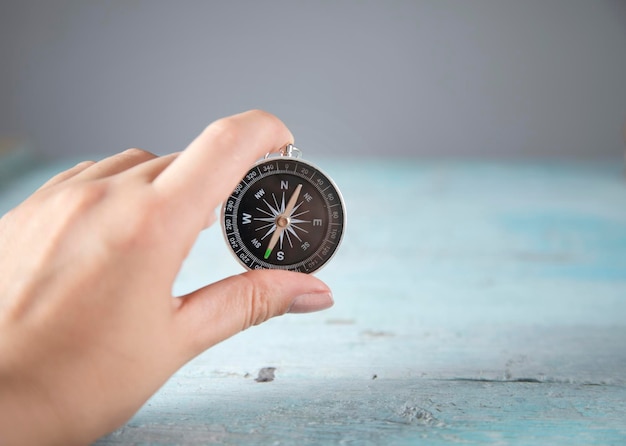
(220,310)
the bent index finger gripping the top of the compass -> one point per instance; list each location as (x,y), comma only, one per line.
(208,170)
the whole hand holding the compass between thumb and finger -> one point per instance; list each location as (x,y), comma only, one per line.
(89,329)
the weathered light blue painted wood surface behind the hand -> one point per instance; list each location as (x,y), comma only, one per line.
(476,302)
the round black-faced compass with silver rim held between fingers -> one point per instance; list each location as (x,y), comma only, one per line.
(284,214)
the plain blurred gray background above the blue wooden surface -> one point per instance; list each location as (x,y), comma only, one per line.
(437,78)
